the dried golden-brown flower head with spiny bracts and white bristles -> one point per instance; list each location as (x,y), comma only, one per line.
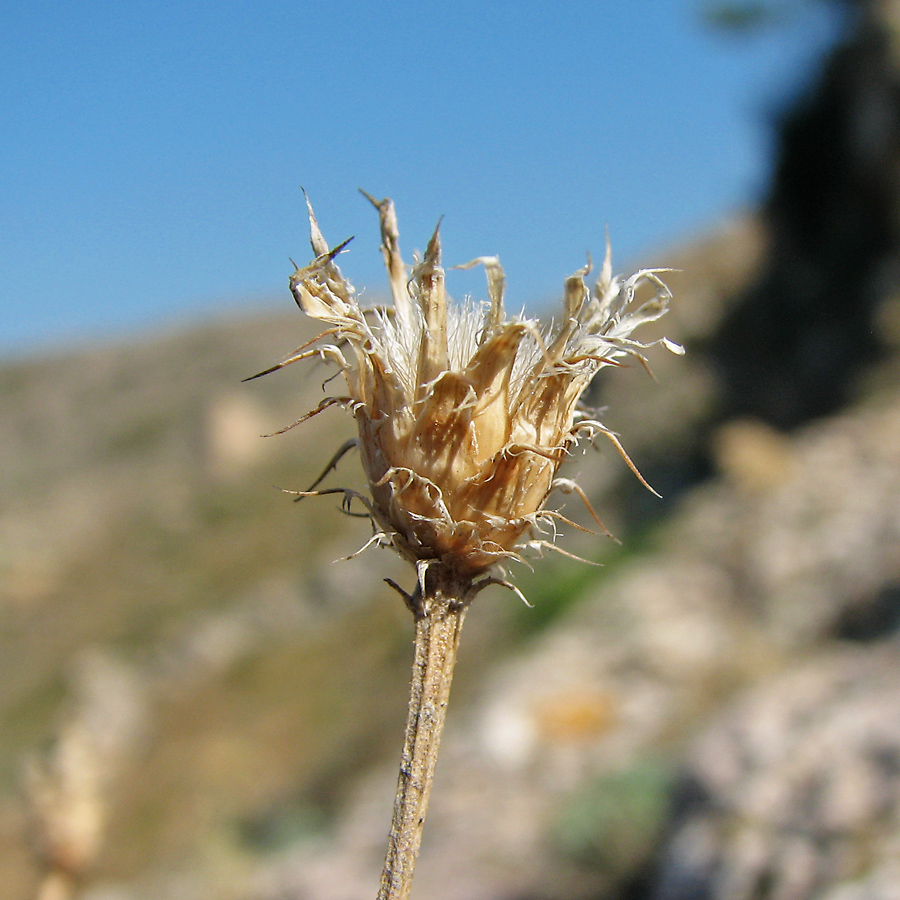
(464,415)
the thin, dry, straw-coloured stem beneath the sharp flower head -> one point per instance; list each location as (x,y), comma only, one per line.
(439,618)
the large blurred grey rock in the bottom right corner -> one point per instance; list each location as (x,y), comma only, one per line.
(795,790)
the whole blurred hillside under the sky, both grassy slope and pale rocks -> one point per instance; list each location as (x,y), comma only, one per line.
(158,589)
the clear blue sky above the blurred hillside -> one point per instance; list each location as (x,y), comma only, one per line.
(152,154)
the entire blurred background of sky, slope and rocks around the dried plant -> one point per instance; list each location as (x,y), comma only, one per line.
(196,703)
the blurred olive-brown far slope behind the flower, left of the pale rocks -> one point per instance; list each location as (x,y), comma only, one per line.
(171,614)
